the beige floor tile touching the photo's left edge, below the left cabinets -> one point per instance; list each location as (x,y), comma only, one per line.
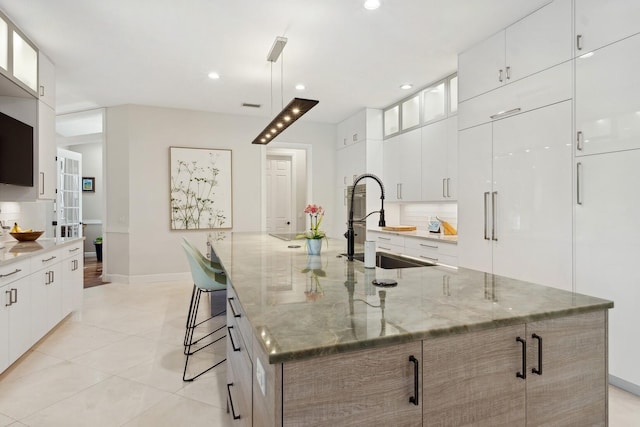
(31,393)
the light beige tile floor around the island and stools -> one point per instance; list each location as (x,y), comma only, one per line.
(119,362)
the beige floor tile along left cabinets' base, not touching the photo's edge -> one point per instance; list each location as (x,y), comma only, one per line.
(72,339)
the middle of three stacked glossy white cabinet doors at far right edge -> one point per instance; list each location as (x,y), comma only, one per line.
(607,101)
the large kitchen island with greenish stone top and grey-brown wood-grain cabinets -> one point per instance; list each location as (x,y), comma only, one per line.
(312,341)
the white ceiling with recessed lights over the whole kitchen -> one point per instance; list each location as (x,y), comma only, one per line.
(159,52)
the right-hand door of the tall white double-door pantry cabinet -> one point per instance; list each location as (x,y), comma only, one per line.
(532,185)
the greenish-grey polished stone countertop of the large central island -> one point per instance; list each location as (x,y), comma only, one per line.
(302,306)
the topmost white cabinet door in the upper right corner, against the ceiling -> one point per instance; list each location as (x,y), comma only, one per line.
(599,23)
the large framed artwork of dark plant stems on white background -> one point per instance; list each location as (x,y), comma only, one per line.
(200,188)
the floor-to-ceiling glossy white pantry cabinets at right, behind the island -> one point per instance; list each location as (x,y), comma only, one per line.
(590,184)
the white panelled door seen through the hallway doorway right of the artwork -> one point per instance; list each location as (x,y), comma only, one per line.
(279,195)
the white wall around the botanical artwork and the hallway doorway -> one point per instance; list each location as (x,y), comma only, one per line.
(139,245)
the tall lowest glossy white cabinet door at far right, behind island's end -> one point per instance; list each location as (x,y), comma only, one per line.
(607,249)
